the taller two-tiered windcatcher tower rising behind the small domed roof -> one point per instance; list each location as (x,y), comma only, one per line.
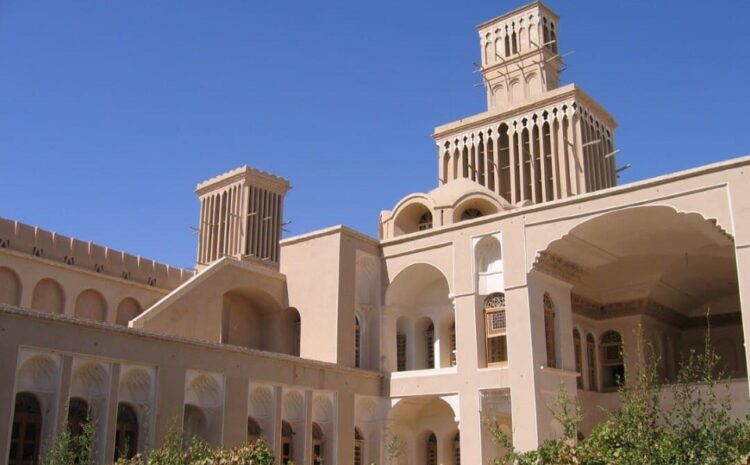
(537,141)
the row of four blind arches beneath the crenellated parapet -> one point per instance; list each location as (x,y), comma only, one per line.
(48,296)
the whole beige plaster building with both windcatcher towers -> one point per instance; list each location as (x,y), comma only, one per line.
(526,268)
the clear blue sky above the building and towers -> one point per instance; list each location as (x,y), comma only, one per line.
(112,111)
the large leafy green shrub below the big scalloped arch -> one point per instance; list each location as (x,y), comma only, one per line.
(696,430)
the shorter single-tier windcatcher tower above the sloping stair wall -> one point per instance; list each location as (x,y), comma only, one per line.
(241,216)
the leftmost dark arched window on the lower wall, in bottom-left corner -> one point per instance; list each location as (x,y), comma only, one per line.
(26,432)
